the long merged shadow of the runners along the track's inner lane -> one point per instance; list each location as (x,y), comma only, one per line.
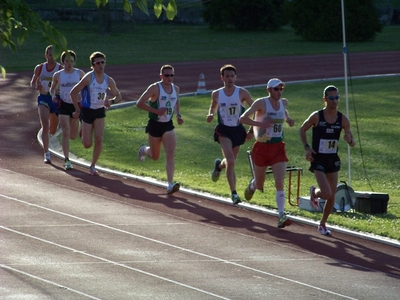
(344,253)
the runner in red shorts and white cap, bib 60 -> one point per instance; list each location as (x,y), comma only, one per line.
(270,113)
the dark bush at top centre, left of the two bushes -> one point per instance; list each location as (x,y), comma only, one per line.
(244,15)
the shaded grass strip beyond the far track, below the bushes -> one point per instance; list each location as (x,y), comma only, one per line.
(135,44)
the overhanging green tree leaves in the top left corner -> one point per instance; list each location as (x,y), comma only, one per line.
(17,20)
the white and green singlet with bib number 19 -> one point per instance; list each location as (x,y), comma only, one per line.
(164,100)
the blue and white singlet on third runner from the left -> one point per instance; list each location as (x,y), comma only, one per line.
(94,95)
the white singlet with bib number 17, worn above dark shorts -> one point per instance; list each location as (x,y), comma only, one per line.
(230,108)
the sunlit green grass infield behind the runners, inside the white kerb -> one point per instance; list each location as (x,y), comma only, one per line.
(374,161)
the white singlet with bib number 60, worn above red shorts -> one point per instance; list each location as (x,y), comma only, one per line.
(274,133)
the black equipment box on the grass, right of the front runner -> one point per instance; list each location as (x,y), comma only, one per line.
(371,203)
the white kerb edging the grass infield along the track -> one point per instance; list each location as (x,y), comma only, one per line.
(56,150)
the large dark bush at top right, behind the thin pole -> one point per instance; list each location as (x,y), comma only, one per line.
(321,21)
